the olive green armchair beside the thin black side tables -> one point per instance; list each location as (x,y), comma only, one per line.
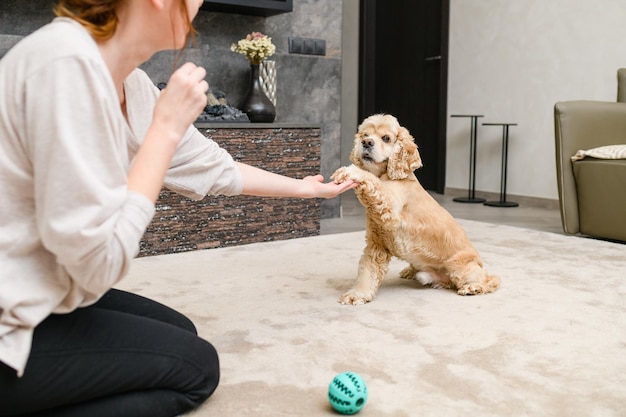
(592,192)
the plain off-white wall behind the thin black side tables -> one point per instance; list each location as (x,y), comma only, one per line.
(511,60)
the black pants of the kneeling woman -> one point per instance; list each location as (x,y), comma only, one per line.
(123,356)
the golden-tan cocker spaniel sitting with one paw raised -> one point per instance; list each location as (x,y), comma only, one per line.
(403,220)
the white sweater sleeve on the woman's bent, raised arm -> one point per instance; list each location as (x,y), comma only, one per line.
(77,144)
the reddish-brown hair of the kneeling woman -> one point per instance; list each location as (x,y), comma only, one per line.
(99,18)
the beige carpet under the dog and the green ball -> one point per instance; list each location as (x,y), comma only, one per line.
(550,342)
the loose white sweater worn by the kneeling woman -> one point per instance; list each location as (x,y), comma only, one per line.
(69,227)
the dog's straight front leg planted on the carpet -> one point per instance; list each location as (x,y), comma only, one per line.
(373,267)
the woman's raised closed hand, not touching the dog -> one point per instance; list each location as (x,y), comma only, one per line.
(182,100)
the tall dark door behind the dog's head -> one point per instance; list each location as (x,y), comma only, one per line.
(403,71)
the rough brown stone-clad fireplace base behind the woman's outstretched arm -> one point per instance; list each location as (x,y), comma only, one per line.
(182,224)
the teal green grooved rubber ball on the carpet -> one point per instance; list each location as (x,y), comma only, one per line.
(347,393)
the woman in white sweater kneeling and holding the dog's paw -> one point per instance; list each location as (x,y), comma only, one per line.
(86,143)
